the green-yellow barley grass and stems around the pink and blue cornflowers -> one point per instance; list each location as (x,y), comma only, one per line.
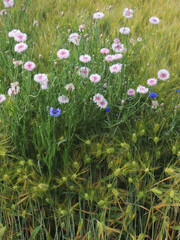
(92,174)
